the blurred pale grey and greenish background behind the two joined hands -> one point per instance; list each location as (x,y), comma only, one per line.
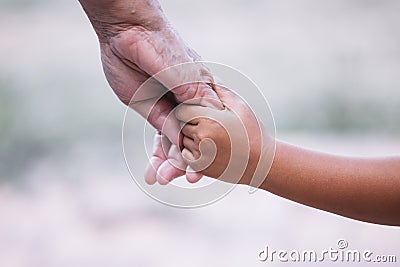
(330,70)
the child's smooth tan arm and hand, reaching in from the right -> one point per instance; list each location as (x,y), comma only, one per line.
(358,188)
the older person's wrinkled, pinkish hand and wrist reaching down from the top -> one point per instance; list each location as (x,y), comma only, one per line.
(137,42)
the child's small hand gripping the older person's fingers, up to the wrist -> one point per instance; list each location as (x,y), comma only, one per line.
(226,144)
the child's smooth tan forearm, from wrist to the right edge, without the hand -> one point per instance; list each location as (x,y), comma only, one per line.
(358,188)
